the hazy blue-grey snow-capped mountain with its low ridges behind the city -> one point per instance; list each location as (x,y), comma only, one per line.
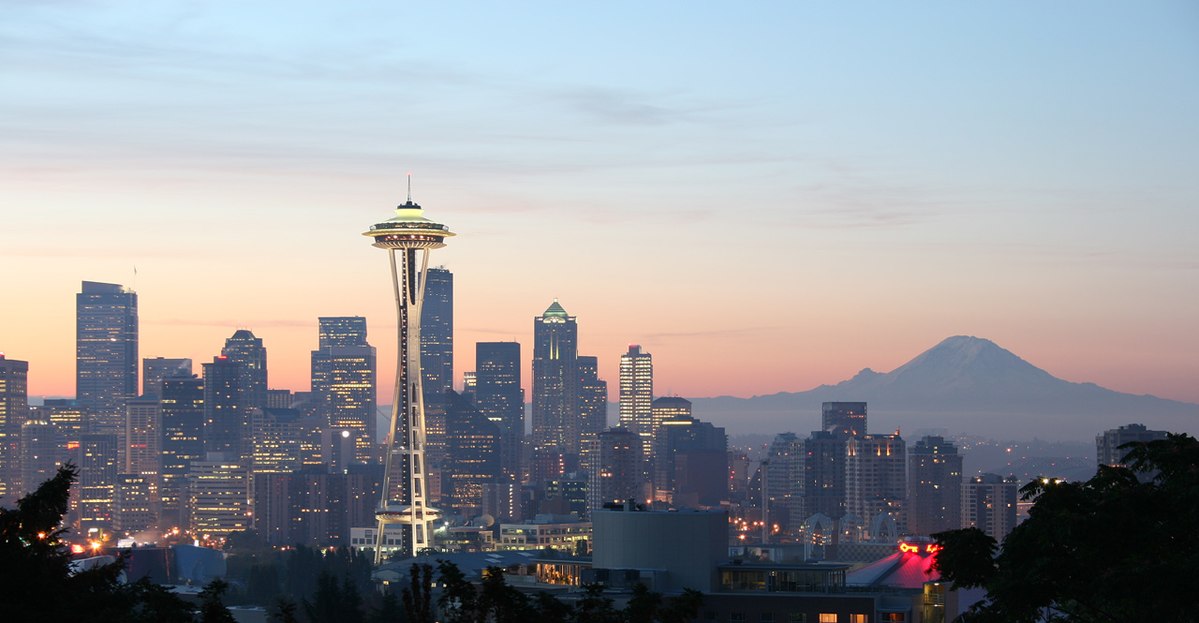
(962,385)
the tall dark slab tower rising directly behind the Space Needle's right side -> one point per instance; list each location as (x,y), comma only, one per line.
(437,336)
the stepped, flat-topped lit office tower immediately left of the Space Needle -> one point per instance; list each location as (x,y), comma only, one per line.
(344,379)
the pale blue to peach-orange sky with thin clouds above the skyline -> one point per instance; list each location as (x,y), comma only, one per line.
(768,197)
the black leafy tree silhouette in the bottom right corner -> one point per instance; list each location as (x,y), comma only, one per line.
(1114,548)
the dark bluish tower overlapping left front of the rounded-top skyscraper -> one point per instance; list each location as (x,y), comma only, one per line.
(226,421)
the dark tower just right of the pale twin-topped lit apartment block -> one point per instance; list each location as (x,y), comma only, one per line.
(935,487)
